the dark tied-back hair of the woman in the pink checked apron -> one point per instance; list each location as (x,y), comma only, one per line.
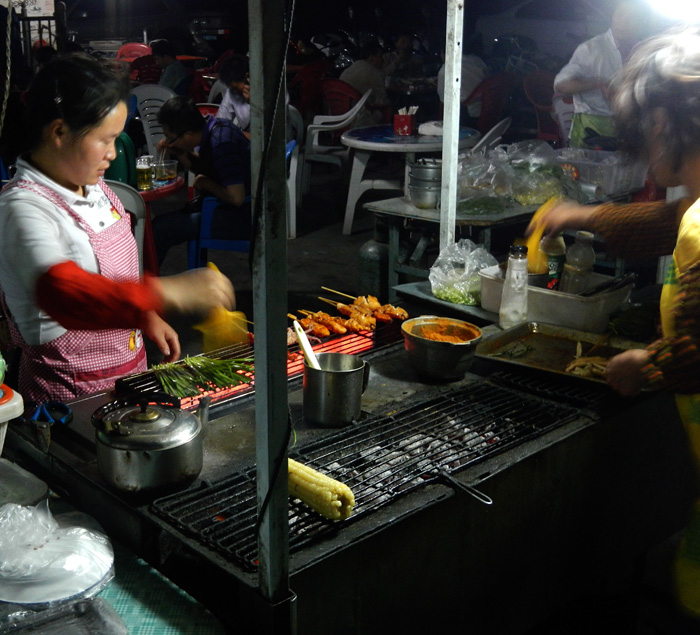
(77,88)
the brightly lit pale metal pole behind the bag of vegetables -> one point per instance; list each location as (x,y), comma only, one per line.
(450,140)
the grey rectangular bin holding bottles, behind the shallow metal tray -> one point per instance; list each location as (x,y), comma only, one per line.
(554,307)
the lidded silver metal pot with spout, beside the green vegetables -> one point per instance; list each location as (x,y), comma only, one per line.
(146,444)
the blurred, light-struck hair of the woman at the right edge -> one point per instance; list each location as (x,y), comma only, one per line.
(662,76)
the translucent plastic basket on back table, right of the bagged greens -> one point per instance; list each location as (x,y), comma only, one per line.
(613,172)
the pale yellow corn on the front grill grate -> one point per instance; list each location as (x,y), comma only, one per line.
(330,498)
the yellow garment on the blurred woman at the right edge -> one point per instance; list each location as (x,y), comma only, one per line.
(686,253)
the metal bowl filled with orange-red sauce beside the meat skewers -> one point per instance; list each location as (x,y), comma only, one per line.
(440,348)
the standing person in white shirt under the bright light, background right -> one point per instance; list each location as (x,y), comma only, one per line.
(588,74)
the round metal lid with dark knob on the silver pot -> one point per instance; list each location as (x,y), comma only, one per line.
(145,422)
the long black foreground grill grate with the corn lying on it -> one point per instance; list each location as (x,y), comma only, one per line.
(380,460)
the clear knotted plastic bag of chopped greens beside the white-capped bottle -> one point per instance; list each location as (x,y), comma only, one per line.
(454,277)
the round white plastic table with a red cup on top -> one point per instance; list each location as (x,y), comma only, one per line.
(363,141)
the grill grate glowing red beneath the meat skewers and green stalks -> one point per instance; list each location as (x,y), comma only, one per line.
(353,344)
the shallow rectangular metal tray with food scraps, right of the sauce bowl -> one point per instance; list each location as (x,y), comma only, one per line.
(548,347)
